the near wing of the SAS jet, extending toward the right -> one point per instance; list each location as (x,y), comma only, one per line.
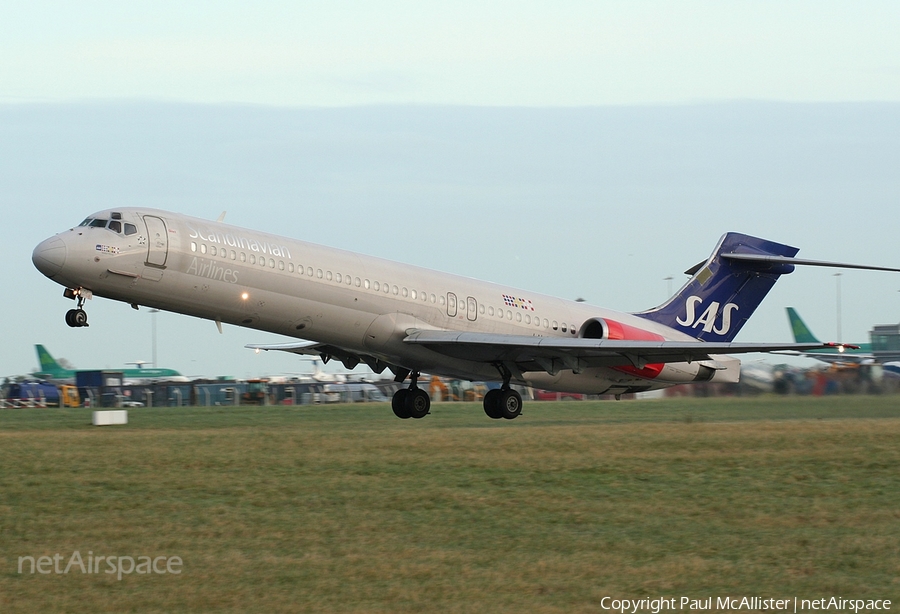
(580,352)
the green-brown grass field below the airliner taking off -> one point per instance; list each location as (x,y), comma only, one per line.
(347,509)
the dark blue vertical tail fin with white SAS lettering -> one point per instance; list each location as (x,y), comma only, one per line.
(723,293)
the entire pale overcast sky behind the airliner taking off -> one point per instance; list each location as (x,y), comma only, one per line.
(579,149)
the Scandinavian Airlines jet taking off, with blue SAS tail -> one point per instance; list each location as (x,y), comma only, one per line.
(360,309)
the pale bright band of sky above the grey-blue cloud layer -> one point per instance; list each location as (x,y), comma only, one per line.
(463,52)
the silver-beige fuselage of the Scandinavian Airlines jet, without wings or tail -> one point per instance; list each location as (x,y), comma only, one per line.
(363,304)
